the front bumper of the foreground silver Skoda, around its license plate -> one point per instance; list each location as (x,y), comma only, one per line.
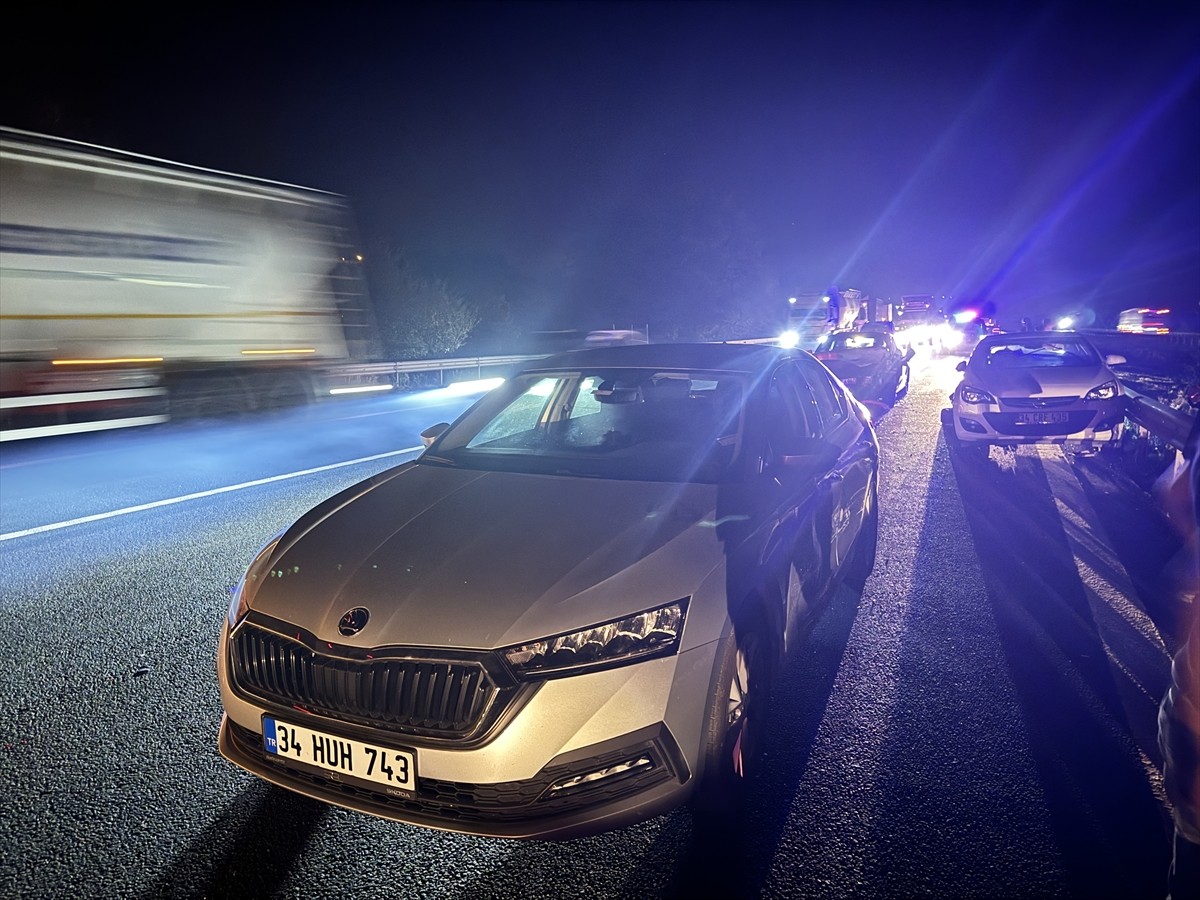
(579,755)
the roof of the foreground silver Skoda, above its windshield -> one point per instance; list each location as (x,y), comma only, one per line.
(718,357)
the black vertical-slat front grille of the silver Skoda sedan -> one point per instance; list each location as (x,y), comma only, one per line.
(409,694)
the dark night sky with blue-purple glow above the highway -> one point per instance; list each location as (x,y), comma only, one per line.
(619,164)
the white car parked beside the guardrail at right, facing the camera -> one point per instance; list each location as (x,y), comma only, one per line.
(1036,388)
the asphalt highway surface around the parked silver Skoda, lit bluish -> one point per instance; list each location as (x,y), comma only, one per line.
(980,723)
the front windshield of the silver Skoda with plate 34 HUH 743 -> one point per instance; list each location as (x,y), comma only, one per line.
(623,424)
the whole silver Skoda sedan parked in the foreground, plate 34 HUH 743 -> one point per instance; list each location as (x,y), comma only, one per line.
(567,614)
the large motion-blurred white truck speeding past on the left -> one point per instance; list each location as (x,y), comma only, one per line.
(135,291)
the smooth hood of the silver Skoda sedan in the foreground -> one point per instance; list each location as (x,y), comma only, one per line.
(457,559)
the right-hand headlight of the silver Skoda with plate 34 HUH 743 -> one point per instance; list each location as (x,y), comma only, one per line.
(655,633)
